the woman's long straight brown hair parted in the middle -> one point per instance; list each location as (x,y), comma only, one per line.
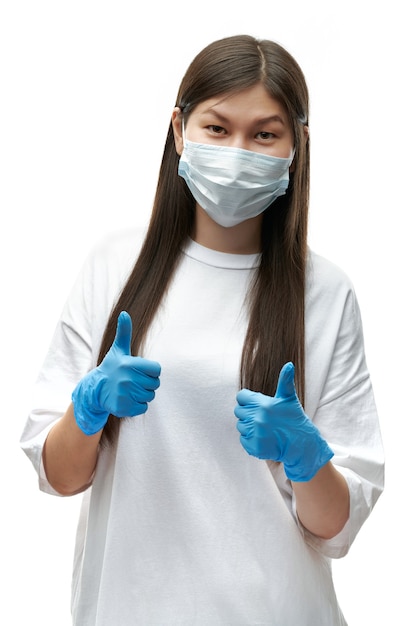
(275,331)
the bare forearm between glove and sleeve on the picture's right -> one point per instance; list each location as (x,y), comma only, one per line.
(323,502)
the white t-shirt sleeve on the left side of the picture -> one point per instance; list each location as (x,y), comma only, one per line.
(76,341)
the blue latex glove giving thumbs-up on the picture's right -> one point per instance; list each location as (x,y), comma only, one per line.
(277,429)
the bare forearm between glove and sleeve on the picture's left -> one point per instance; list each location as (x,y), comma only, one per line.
(70,456)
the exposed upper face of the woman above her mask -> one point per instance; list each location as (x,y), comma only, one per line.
(250,119)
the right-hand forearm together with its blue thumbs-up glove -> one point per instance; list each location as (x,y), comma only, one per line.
(276,428)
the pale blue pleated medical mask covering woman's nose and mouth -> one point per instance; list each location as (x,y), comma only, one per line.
(232,184)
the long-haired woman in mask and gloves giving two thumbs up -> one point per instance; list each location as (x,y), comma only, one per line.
(221,419)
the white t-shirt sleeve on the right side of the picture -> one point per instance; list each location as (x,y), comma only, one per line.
(343,406)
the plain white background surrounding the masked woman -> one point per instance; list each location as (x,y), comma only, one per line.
(87,90)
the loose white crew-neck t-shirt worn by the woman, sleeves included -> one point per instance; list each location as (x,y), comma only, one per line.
(181,526)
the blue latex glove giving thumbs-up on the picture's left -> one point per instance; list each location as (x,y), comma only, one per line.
(122,385)
